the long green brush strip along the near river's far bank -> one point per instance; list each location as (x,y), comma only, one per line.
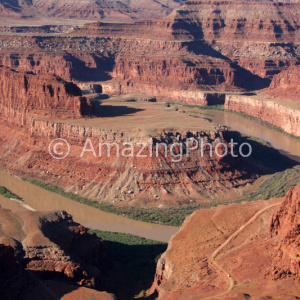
(277,185)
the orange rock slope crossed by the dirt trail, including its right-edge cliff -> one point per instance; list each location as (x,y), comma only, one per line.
(227,253)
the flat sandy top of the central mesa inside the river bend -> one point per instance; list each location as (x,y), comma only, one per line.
(115,114)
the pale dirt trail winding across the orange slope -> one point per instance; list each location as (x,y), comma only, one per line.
(222,246)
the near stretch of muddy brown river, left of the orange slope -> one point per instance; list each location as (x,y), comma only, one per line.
(40,199)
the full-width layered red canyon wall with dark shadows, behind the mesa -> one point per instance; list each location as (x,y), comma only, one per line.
(204,45)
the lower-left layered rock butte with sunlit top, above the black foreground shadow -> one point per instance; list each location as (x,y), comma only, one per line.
(52,243)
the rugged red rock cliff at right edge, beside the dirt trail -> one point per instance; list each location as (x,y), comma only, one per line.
(285,224)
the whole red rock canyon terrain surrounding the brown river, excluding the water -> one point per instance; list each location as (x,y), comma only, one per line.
(114,82)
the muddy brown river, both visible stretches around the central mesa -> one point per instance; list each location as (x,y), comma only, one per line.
(40,199)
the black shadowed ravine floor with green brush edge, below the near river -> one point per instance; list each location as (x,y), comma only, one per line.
(133,263)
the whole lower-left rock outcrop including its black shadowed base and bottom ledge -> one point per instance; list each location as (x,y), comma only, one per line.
(45,254)
